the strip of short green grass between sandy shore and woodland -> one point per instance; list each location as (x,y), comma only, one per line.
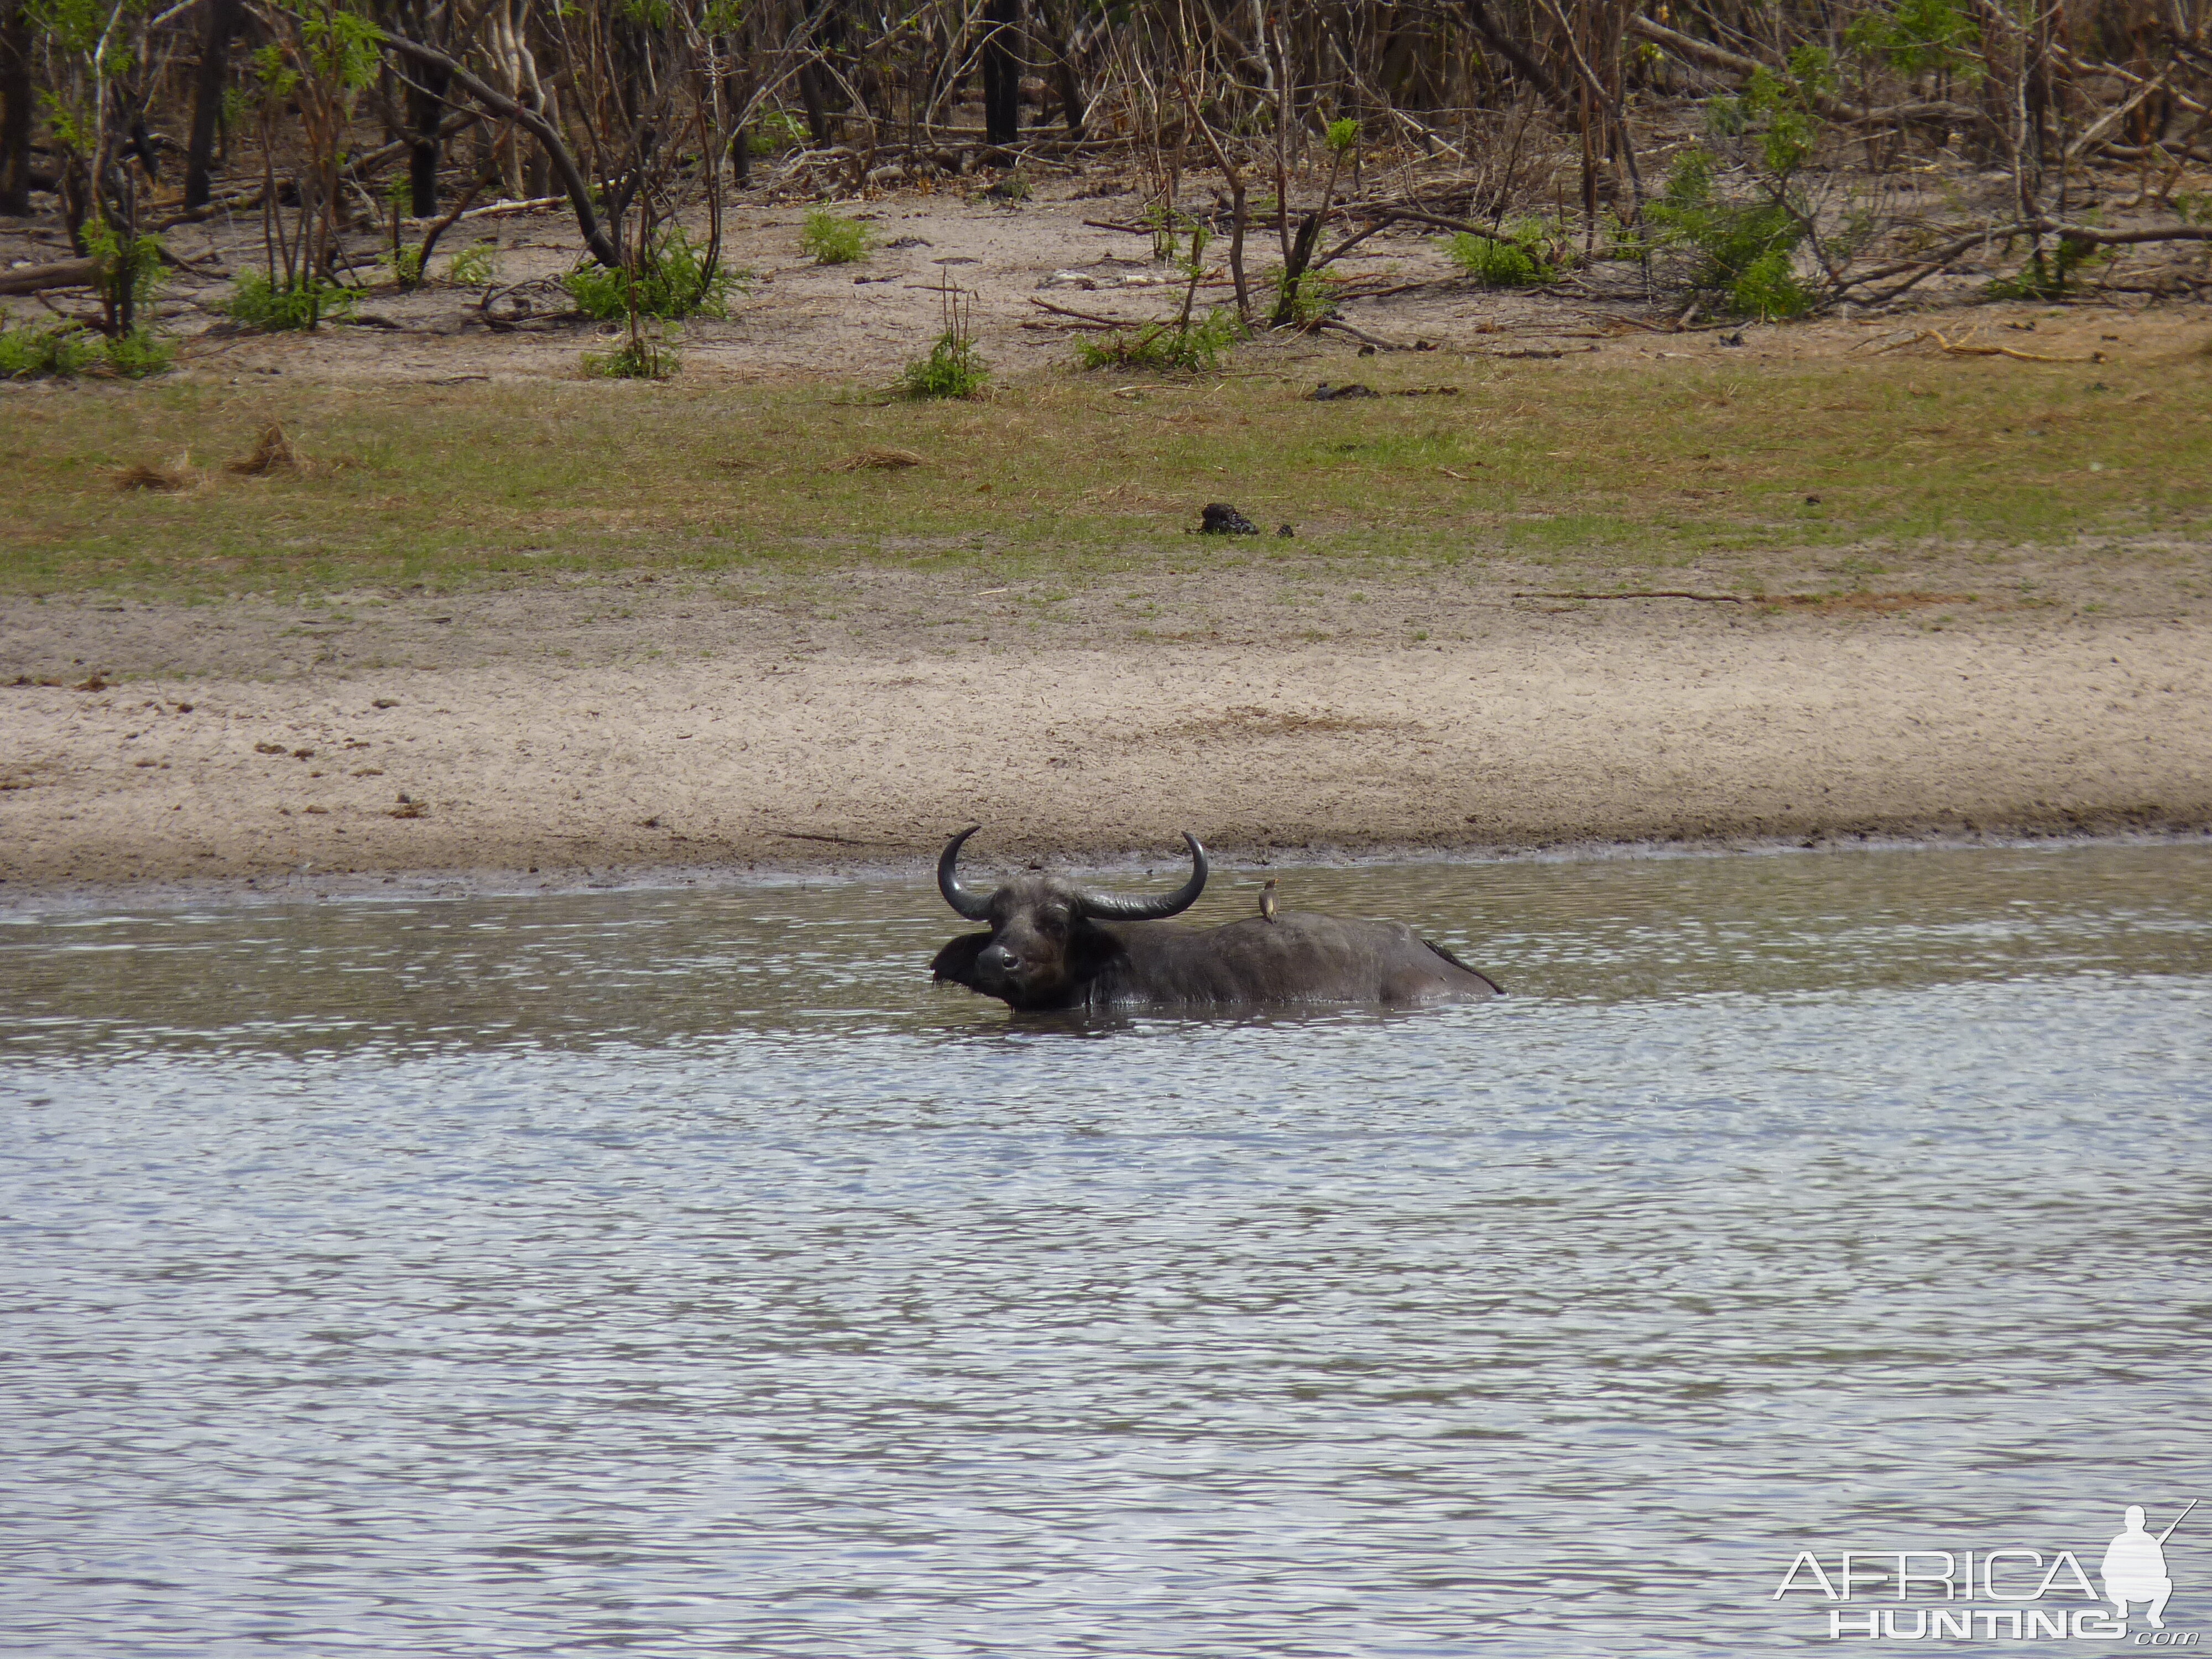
(1598,461)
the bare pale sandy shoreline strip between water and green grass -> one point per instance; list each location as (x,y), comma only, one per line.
(864,747)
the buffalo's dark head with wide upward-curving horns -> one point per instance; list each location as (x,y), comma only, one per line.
(1045,943)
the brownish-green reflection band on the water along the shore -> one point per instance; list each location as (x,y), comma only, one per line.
(662,966)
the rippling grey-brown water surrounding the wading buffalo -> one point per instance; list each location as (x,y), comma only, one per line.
(680,1273)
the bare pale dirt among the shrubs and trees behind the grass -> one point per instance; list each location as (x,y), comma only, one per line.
(1074,244)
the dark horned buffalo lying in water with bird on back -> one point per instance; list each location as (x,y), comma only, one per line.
(1056,946)
